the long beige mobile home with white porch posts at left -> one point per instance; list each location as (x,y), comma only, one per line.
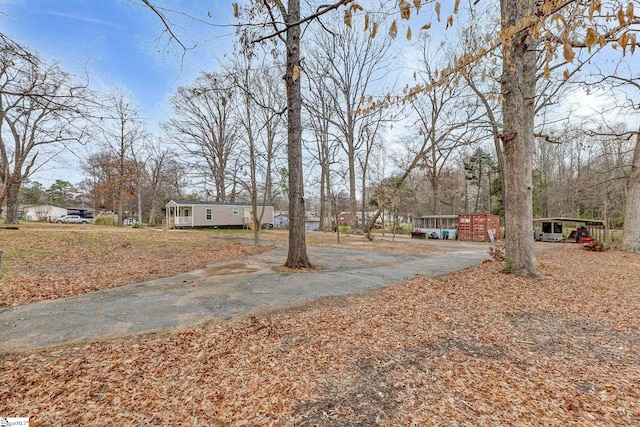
(194,213)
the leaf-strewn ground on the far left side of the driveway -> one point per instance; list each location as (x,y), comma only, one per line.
(58,261)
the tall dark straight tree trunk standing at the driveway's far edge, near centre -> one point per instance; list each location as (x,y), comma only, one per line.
(297,255)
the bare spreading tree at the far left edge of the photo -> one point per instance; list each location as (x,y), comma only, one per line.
(40,112)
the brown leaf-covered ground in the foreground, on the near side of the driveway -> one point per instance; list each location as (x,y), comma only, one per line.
(479,347)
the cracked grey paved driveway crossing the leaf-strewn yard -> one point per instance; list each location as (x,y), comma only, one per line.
(222,291)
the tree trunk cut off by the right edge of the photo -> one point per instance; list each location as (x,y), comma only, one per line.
(631,234)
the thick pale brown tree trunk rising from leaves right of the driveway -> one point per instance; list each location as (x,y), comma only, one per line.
(518,90)
